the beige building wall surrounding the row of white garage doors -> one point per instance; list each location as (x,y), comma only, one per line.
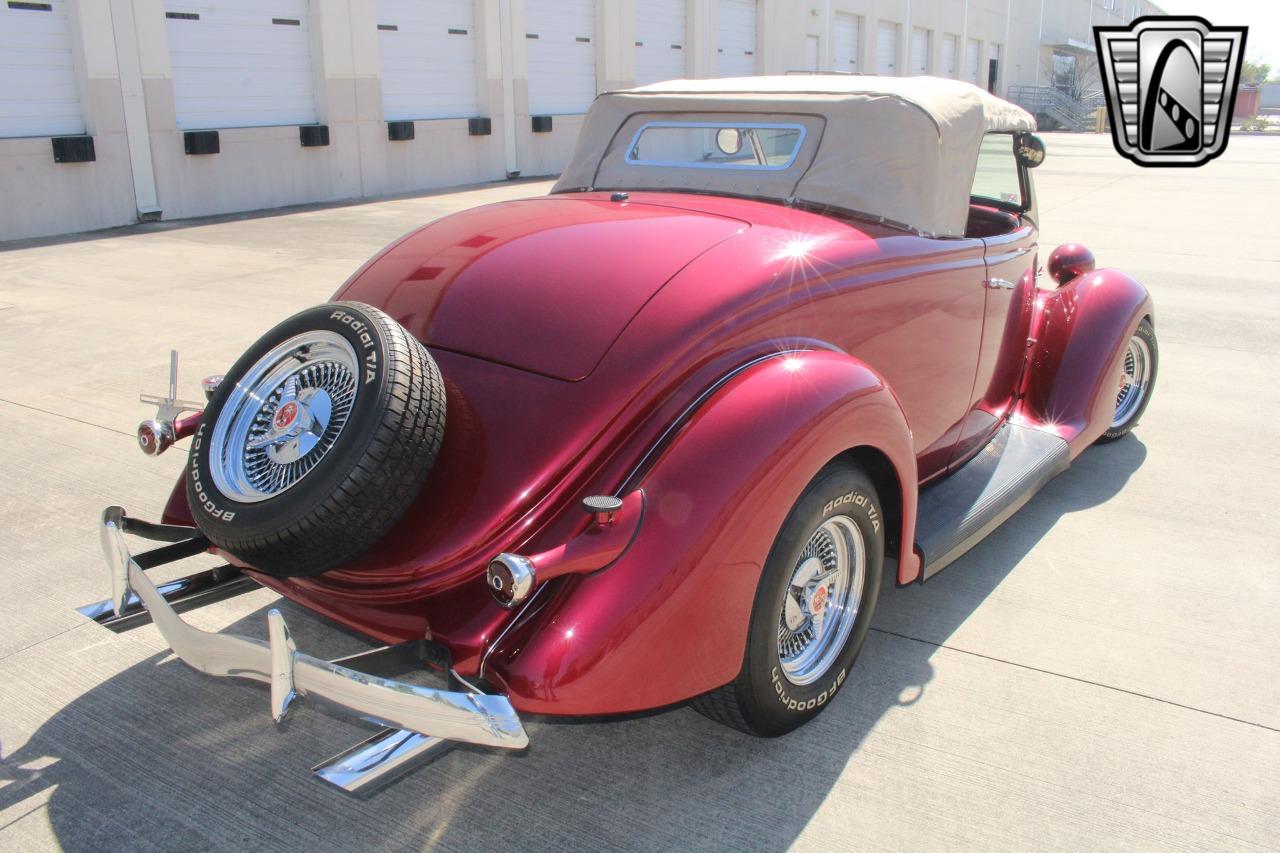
(141,170)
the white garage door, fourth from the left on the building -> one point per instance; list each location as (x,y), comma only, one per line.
(560,38)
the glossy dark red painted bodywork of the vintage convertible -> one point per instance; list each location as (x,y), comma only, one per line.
(716,354)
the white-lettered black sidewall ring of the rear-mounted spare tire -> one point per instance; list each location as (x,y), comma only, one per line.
(218,514)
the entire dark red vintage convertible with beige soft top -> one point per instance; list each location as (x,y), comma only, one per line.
(655,437)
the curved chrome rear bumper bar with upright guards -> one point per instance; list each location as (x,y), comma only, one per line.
(479,719)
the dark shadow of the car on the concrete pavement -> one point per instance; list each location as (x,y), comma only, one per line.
(161,756)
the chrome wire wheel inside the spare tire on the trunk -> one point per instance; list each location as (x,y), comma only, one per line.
(284,417)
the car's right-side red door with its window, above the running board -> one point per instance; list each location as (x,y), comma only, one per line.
(1003,204)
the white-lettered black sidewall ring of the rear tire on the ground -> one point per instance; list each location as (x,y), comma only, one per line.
(776,705)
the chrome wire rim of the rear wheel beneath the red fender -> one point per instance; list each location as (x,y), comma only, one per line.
(822,600)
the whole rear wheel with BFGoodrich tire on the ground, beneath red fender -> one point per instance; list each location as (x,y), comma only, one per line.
(812,610)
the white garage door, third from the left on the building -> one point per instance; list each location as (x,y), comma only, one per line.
(429,58)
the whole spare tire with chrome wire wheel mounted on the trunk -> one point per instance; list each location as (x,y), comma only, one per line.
(317,441)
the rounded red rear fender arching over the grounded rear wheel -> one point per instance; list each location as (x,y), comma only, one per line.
(669,621)
